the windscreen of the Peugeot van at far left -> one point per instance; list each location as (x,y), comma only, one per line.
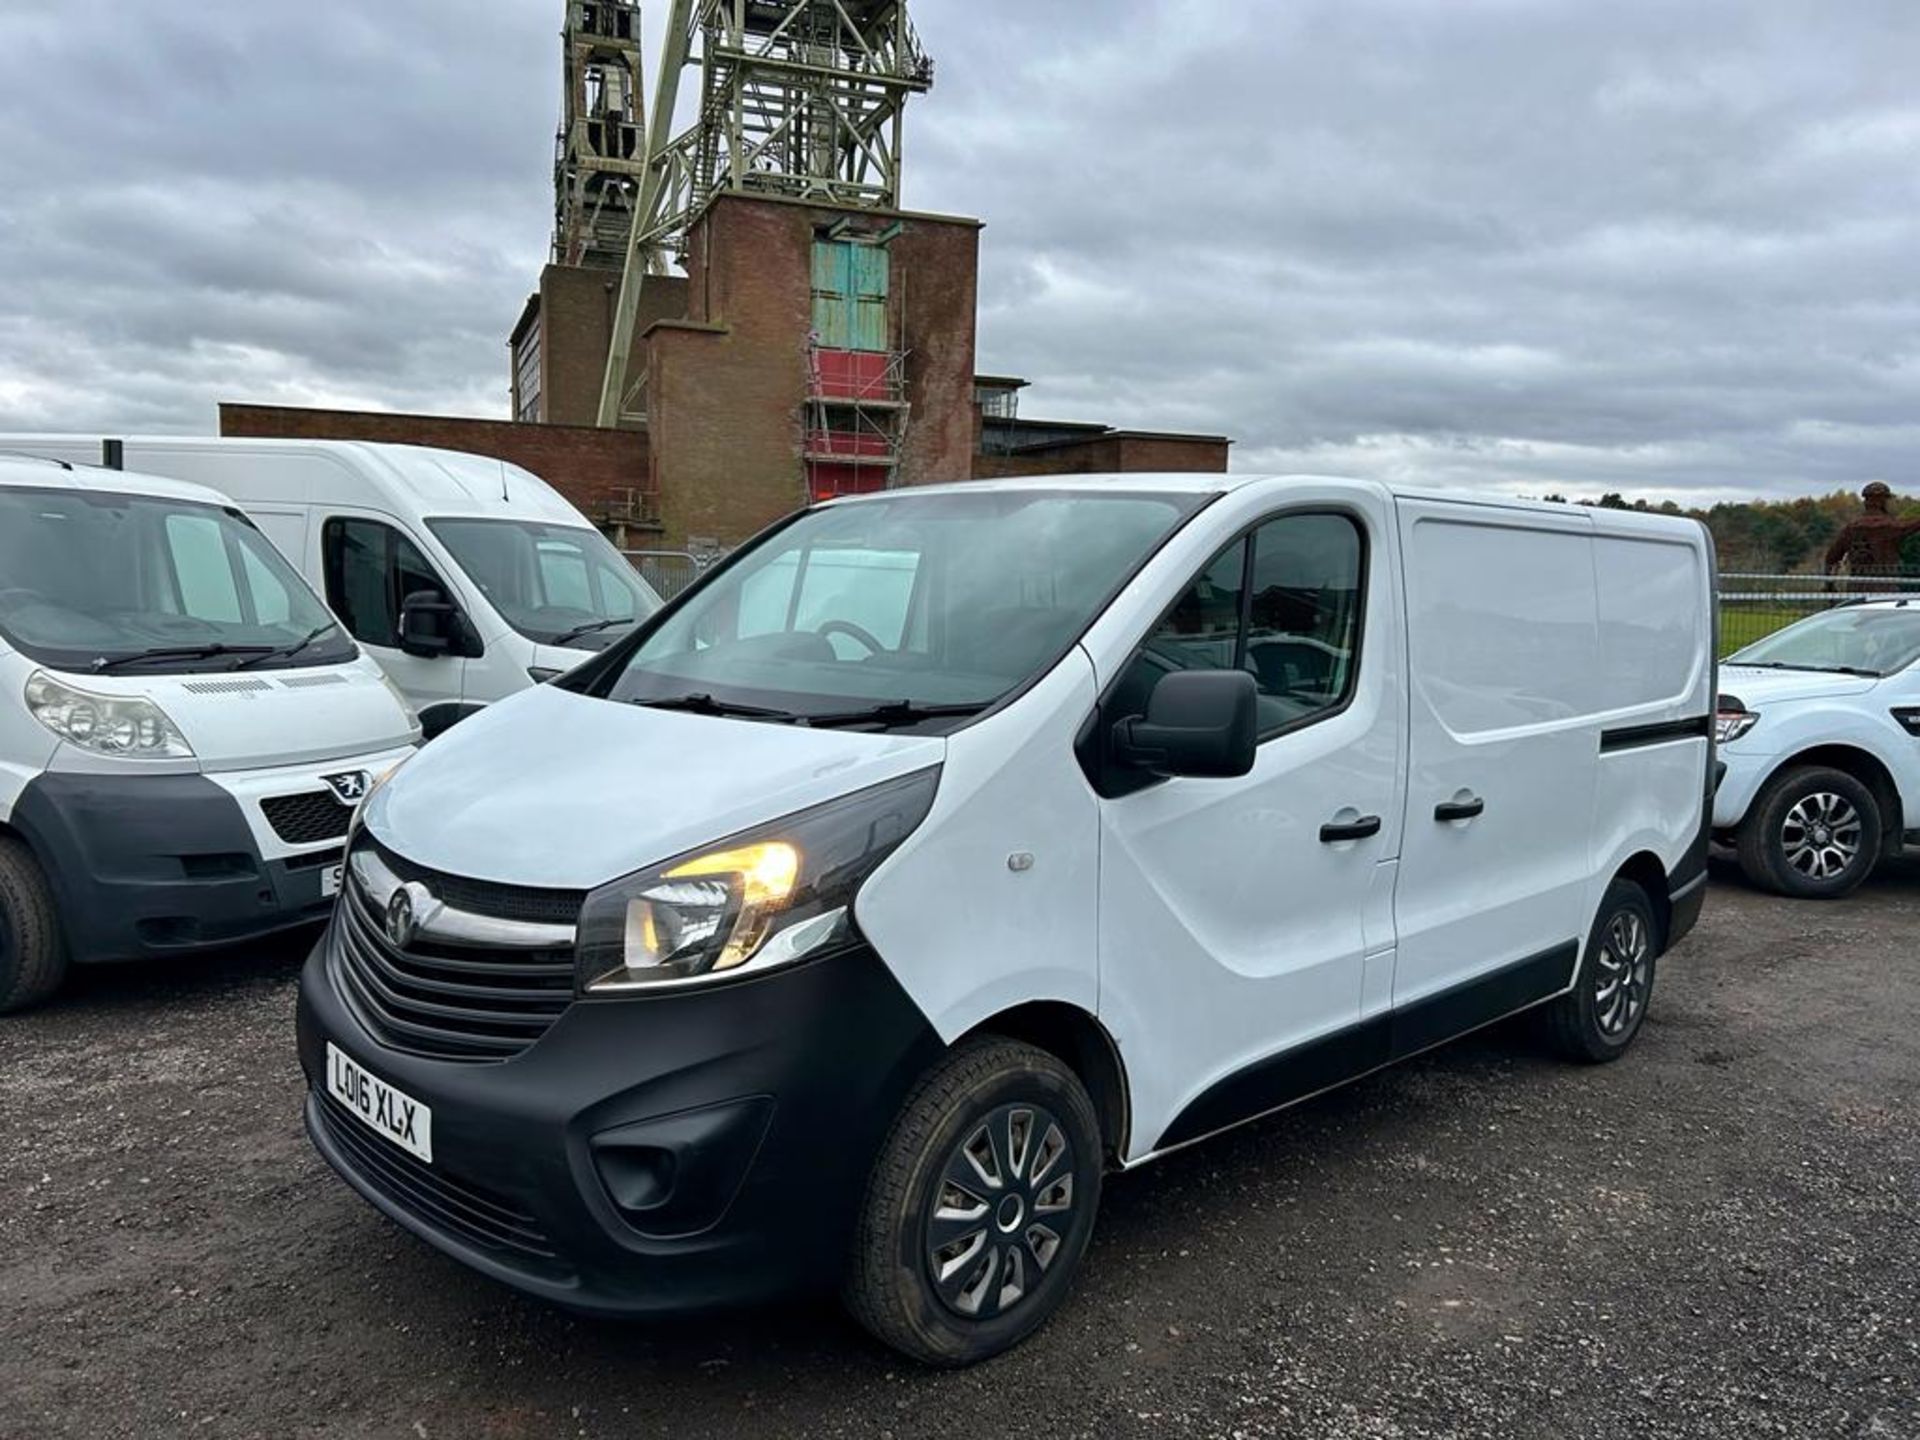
(145,585)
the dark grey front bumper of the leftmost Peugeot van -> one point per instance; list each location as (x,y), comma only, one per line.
(158,865)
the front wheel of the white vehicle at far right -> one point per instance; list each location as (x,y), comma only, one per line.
(1813,834)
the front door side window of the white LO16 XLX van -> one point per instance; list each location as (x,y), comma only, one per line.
(1293,623)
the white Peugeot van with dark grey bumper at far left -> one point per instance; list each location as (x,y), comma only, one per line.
(185,731)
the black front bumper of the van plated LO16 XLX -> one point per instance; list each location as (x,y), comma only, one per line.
(648,1155)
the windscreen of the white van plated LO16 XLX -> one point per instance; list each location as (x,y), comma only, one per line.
(901,610)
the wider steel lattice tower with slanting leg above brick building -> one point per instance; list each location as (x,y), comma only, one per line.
(800,99)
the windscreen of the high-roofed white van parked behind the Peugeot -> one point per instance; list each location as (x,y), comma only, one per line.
(558,585)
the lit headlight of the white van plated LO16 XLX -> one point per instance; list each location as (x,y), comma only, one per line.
(752,903)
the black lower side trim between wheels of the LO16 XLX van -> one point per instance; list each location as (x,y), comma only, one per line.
(1347,1055)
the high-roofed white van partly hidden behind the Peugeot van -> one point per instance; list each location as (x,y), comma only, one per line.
(464,577)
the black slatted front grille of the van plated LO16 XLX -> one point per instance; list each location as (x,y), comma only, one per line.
(441,999)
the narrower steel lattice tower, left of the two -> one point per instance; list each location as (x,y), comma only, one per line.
(602,151)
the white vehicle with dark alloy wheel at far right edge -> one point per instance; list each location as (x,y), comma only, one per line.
(1819,729)
